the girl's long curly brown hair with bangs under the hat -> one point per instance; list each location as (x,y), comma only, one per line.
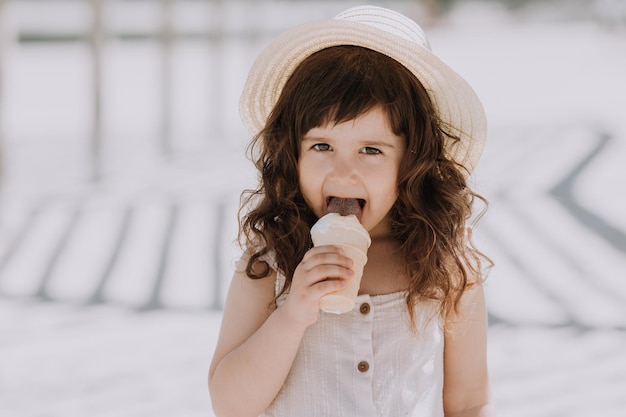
(434,201)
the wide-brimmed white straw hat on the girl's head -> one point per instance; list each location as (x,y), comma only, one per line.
(384,31)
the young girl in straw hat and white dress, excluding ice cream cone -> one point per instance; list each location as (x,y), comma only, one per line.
(357,108)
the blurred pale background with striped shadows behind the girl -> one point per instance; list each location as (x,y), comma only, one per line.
(123,158)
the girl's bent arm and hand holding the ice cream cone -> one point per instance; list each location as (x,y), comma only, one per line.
(258,342)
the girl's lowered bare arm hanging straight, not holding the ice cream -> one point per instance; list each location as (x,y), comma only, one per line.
(466,382)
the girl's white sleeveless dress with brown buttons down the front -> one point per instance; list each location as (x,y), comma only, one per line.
(367,363)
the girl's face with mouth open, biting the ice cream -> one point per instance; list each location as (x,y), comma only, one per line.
(358,159)
